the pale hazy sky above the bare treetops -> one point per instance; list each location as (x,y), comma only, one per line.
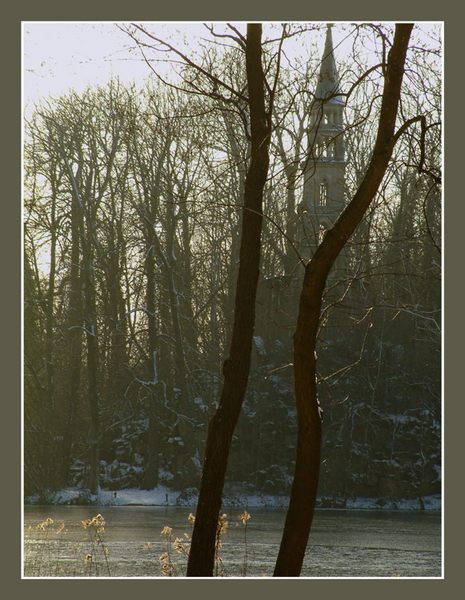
(61,56)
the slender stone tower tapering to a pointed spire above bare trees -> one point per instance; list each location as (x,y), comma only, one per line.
(324,165)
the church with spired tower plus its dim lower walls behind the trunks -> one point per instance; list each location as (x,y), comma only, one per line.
(323,171)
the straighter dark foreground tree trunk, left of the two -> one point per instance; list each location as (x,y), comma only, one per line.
(236,367)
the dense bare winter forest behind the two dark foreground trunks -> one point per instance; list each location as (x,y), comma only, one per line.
(132,228)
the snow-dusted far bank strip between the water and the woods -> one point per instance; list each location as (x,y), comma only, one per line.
(163,496)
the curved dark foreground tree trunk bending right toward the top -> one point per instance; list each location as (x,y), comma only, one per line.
(306,475)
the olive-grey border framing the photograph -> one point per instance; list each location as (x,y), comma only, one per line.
(11,298)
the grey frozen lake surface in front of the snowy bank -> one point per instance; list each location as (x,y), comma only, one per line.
(343,543)
